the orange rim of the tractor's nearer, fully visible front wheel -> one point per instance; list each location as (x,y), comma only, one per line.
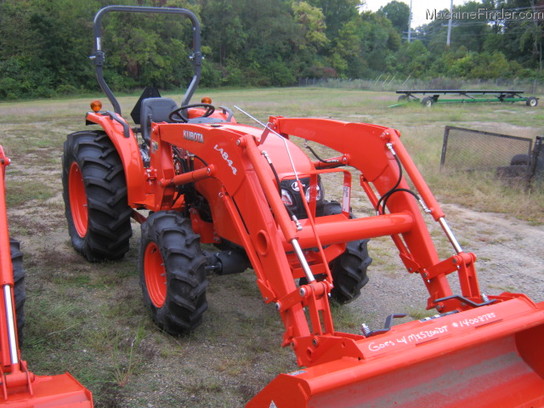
(155,275)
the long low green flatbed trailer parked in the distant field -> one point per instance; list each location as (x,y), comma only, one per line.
(429,97)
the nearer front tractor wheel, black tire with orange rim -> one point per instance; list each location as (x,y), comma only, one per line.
(172,272)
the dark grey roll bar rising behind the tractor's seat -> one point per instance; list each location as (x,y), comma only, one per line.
(99,56)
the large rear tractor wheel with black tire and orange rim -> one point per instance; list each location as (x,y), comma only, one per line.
(95,196)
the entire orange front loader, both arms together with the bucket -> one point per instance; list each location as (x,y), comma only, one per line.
(344,369)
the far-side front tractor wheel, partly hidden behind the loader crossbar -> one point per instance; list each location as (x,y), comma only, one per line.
(349,270)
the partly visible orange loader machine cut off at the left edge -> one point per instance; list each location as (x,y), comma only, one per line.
(20,387)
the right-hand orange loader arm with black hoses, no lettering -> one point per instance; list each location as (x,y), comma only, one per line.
(371,150)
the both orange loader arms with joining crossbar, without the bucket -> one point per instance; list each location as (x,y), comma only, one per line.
(256,217)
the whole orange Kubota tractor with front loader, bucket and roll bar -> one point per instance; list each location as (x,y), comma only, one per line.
(191,175)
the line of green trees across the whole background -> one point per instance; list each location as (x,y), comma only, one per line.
(45,44)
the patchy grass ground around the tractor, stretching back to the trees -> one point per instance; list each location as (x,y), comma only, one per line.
(89,318)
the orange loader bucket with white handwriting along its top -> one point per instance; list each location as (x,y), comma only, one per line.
(490,356)
